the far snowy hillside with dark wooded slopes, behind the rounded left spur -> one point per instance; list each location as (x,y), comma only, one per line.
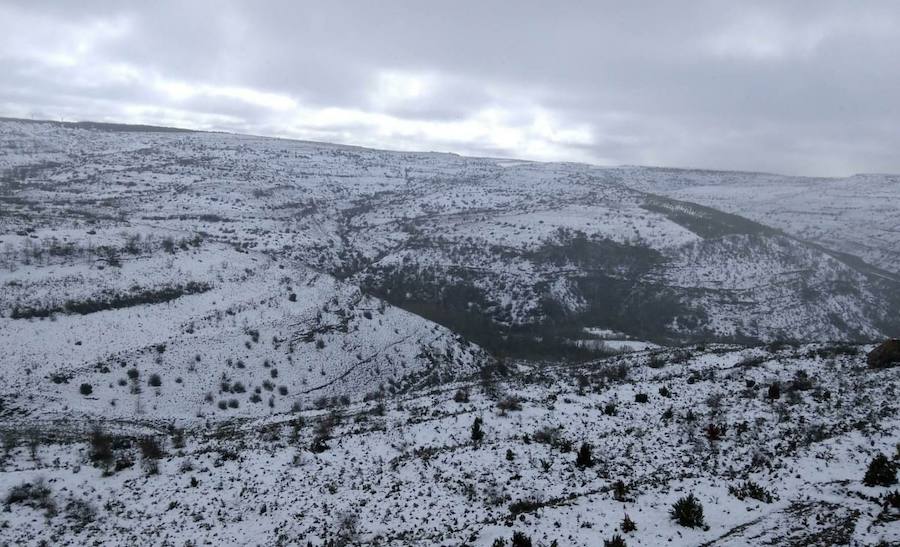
(516,255)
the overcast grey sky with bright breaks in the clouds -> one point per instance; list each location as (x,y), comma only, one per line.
(791,87)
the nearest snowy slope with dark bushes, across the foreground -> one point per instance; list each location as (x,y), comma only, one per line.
(407,470)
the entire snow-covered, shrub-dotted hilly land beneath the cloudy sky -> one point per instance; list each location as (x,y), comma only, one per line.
(225,339)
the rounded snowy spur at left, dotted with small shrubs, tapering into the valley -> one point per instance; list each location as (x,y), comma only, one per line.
(204,331)
